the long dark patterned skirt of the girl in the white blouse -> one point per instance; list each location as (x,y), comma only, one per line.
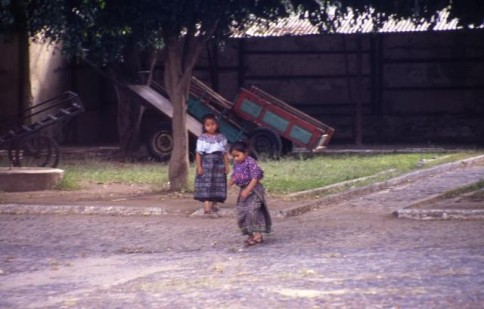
(212,185)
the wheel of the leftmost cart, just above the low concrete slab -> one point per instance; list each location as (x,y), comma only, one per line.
(37,150)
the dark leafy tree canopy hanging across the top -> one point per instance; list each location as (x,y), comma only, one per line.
(103,28)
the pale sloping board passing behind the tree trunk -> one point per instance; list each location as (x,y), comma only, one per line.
(164,105)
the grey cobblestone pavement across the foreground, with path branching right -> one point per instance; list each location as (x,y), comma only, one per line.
(351,254)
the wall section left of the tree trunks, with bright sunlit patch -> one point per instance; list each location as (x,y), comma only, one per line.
(51,74)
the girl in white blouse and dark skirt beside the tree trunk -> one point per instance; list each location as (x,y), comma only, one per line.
(212,166)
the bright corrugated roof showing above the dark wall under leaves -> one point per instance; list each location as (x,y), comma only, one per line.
(293,26)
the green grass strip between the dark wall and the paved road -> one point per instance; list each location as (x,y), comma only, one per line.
(282,176)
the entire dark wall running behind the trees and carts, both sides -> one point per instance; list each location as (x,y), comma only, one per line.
(416,87)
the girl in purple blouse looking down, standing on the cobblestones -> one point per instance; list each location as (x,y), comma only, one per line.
(253,217)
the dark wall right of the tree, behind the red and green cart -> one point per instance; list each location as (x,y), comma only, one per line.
(416,87)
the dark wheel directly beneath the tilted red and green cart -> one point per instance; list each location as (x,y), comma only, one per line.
(266,143)
